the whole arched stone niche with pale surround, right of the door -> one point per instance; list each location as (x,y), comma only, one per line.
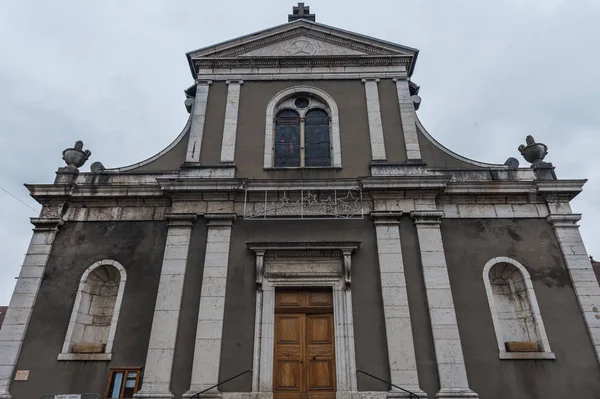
(516,316)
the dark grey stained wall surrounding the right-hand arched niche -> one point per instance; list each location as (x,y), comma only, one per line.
(469,245)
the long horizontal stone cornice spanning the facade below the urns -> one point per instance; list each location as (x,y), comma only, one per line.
(427,185)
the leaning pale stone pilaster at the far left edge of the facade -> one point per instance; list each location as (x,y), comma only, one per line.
(24,296)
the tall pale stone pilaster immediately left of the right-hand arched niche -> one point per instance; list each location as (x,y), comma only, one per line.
(444,326)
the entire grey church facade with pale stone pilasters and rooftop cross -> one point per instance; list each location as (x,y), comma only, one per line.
(304,237)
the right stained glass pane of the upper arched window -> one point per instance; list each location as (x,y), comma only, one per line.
(316,138)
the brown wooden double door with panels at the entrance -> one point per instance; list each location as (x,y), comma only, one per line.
(304,363)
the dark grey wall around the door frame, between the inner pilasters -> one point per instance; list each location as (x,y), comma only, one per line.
(369,325)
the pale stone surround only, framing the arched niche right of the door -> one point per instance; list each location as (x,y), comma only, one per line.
(546,352)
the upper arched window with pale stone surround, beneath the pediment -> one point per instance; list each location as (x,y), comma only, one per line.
(302,130)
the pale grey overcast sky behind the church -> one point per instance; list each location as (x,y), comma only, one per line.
(112,73)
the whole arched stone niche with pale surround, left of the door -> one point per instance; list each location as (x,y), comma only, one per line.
(93,323)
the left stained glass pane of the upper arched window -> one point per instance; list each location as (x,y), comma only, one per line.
(287,138)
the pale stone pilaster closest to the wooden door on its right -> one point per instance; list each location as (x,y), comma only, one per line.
(400,342)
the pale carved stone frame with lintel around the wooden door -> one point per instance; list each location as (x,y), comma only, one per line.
(338,279)
